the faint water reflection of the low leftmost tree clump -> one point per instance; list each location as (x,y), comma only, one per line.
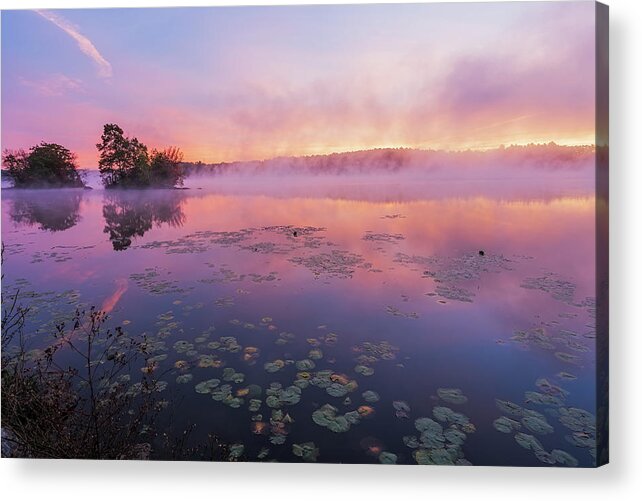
(50,210)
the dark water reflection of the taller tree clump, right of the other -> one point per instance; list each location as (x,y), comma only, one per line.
(130,214)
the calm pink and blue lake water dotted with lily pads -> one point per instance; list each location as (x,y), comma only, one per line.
(289,268)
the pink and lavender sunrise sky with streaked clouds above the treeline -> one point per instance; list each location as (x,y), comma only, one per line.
(246,83)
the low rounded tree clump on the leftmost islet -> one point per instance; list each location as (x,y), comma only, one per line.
(45,165)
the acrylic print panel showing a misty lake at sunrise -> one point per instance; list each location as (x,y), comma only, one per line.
(357,234)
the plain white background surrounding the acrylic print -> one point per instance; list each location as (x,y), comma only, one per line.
(52,480)
